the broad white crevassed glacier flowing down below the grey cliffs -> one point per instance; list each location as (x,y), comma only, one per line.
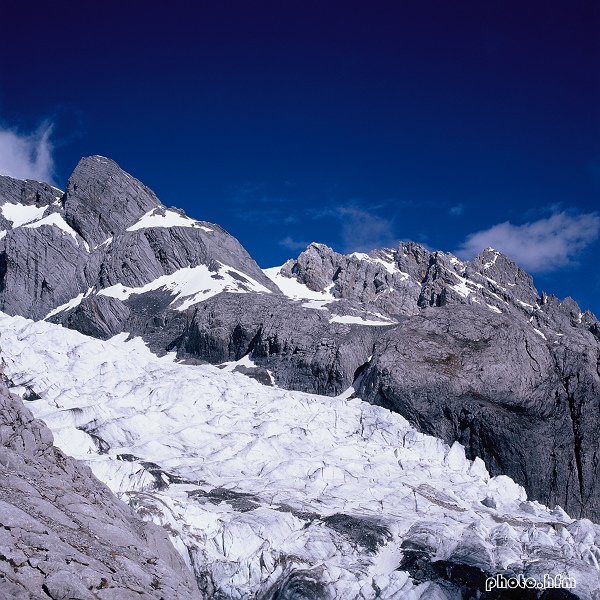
(257,483)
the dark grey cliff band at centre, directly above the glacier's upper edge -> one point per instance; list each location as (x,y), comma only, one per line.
(300,346)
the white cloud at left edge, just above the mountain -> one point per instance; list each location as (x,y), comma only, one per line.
(27,156)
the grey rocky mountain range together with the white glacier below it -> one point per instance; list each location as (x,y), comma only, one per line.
(467,352)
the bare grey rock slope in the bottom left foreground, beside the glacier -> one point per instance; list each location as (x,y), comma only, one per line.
(64,535)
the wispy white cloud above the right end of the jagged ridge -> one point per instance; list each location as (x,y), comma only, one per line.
(539,246)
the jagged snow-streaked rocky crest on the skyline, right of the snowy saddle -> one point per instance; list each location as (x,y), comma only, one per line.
(402,281)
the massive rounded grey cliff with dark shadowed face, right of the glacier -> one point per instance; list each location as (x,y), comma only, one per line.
(527,407)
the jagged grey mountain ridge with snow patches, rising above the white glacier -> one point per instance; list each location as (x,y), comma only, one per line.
(466,351)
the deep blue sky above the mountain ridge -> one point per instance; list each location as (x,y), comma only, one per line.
(351,123)
